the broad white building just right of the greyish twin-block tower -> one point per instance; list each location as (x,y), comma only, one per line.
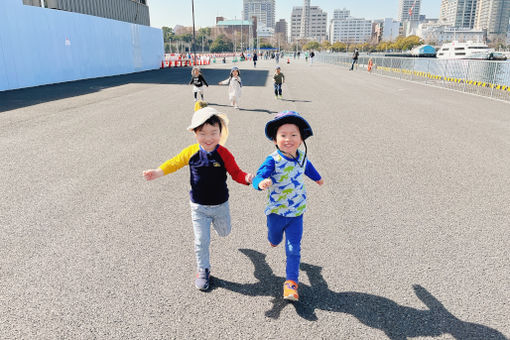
(350,30)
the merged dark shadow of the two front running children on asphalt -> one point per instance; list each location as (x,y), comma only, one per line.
(396,321)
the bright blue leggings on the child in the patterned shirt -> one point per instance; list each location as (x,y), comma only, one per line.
(293,229)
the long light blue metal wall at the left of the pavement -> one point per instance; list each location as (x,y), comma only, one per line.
(43,46)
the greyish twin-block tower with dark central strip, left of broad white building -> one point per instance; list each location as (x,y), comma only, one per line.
(318,24)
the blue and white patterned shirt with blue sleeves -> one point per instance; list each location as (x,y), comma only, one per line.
(287,194)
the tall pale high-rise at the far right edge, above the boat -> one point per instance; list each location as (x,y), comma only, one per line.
(493,16)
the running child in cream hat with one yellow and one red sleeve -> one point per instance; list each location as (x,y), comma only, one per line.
(208,161)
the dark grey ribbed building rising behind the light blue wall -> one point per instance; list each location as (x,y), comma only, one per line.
(133,11)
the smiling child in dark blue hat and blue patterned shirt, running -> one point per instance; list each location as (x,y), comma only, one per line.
(282,173)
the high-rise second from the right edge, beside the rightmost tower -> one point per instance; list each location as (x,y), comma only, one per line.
(458,13)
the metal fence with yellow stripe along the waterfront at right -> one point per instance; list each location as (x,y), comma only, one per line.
(482,77)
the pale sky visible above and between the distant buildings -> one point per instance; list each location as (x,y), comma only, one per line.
(172,12)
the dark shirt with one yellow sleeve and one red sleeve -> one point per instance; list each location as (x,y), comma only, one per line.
(208,172)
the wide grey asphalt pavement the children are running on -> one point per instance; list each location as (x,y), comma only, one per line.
(408,238)
